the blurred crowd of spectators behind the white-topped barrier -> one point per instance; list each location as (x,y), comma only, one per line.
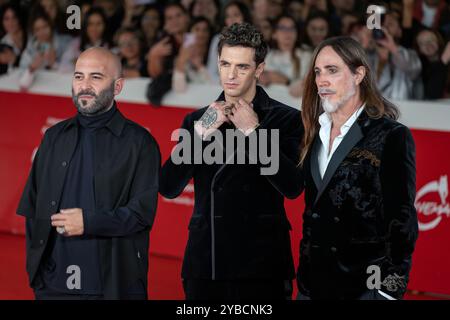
(175,42)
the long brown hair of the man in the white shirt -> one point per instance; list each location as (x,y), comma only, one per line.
(354,56)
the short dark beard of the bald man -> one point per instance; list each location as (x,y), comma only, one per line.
(99,104)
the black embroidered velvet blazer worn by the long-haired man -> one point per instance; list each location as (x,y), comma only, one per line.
(362,213)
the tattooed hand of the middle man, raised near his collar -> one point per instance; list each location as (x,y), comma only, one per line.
(212,119)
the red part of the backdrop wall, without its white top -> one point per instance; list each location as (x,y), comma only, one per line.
(25,117)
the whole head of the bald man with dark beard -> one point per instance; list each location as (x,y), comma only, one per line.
(96,81)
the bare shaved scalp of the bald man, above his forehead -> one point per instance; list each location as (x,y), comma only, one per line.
(104,58)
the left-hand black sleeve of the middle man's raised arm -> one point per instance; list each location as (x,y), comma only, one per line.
(175,176)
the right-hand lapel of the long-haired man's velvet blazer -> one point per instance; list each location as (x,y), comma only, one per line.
(353,136)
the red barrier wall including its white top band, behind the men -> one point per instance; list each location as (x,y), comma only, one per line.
(24,117)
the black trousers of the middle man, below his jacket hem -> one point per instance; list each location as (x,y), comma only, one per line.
(199,289)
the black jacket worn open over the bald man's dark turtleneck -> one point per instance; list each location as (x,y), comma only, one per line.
(127,164)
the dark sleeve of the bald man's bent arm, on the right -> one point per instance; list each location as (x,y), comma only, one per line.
(139,212)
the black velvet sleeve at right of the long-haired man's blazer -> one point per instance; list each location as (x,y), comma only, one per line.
(398,178)
